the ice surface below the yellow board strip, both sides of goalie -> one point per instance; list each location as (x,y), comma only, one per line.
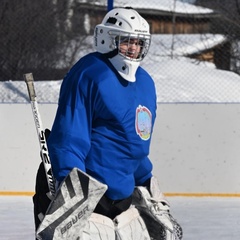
(202,218)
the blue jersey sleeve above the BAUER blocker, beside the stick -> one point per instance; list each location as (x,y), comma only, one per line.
(69,141)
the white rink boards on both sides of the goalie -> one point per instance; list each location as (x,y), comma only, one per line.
(195,147)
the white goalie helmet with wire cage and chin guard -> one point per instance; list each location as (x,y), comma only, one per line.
(123,26)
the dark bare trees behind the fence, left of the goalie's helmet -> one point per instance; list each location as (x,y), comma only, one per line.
(36,36)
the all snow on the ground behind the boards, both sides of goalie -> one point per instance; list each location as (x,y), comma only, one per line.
(176,82)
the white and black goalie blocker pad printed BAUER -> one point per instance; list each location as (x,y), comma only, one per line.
(71,207)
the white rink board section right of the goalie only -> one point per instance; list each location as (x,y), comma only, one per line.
(196,148)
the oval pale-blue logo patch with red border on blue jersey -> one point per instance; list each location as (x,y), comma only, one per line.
(143,122)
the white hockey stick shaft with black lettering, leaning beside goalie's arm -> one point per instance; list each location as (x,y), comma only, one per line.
(28,77)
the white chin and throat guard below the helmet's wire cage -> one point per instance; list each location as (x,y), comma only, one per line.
(125,67)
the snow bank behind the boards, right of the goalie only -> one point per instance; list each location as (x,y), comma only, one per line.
(180,81)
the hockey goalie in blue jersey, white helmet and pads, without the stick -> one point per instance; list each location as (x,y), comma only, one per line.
(99,144)
